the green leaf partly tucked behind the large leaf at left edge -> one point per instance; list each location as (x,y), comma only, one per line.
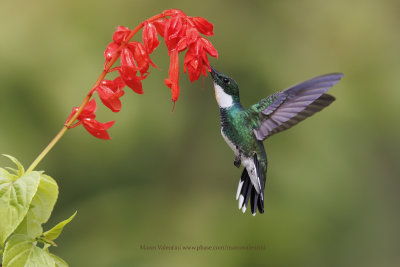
(41,207)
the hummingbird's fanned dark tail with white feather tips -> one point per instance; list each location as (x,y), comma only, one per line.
(246,191)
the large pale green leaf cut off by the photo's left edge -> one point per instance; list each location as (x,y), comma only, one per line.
(15,198)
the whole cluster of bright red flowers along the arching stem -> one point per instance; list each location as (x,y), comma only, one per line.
(180,32)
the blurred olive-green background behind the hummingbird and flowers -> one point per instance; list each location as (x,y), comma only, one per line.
(332,195)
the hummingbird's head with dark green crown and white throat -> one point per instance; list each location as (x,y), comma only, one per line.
(226,89)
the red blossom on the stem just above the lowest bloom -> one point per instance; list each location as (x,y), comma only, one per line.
(110,93)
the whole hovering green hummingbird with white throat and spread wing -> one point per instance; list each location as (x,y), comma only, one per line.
(244,130)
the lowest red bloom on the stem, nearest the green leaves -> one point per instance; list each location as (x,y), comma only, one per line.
(87,119)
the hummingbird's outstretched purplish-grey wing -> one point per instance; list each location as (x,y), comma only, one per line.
(284,109)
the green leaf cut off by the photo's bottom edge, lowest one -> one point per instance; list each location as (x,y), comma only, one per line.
(21,251)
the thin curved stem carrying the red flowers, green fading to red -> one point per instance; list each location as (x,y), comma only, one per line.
(88,96)
